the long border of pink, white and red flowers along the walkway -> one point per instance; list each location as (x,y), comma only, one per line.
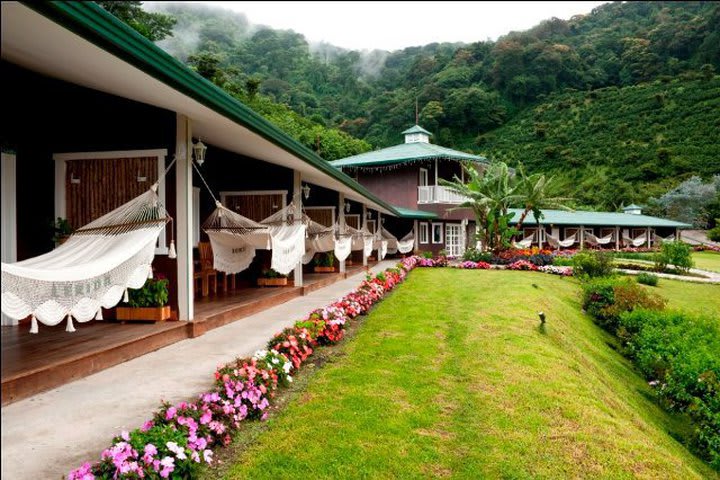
(179,438)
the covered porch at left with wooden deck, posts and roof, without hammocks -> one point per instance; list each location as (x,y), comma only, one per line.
(73,115)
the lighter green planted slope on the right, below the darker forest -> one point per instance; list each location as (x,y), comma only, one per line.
(651,135)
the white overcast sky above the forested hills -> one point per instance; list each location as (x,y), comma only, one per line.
(395,25)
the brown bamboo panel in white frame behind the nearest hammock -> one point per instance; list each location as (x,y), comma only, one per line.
(104,184)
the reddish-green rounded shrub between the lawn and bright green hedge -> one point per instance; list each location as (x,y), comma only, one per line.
(609,297)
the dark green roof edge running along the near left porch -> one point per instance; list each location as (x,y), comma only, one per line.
(94,24)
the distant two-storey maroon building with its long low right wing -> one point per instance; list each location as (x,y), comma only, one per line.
(408,174)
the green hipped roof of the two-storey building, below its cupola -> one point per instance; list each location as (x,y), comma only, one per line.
(406,153)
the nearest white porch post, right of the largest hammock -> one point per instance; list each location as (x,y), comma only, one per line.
(183,217)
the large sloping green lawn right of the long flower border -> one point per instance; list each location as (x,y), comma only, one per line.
(451,376)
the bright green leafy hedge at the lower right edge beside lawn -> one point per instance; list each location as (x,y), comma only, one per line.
(680,355)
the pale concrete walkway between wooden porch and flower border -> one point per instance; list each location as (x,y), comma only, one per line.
(47,435)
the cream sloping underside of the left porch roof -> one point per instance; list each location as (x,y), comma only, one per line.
(34,42)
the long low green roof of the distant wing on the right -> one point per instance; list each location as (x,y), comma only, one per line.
(589,219)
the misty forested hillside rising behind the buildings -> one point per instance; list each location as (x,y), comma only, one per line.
(622,105)
